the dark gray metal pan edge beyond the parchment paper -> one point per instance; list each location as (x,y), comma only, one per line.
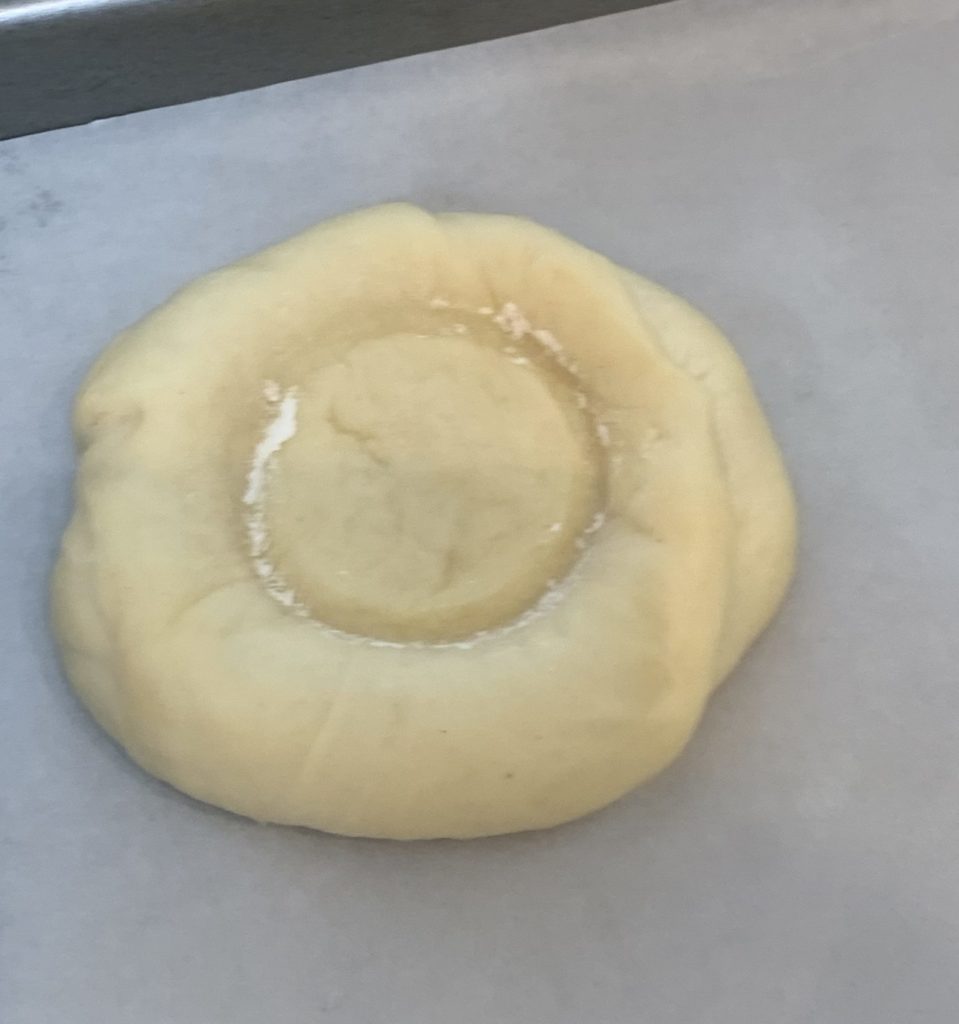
(70,62)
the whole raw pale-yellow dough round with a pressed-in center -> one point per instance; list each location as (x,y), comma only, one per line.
(417,527)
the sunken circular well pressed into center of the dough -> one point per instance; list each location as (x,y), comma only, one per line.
(437,487)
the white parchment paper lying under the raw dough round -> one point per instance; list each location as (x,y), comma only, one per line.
(795,170)
